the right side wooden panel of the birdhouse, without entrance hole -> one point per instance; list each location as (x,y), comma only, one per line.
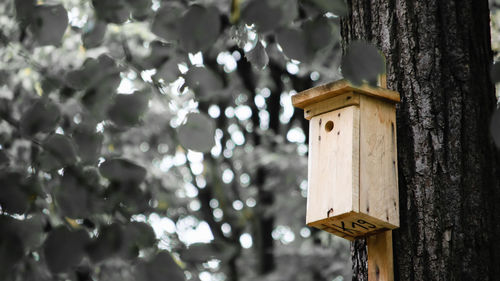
(378,164)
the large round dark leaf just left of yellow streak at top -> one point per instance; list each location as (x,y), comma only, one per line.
(198,28)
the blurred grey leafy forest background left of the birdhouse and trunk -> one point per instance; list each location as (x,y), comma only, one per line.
(156,140)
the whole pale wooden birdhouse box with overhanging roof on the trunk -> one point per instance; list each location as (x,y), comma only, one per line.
(352,173)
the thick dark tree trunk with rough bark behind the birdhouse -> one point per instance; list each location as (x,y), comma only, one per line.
(438,55)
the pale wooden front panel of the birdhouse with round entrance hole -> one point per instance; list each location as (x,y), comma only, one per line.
(333,164)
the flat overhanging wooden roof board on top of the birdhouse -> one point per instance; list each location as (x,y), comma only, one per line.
(330,90)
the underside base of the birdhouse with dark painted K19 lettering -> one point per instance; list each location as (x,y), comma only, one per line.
(352,225)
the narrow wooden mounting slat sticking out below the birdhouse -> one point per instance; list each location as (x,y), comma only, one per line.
(380,257)
